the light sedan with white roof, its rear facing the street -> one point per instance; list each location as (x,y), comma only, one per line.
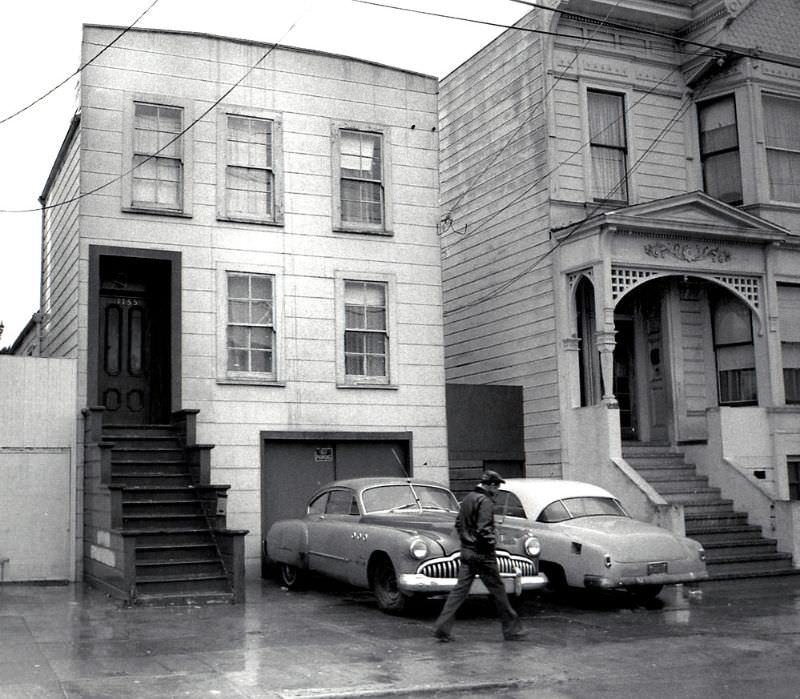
(589,541)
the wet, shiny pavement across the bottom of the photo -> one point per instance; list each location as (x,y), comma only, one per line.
(731,639)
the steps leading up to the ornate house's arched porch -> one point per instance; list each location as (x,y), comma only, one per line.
(734,548)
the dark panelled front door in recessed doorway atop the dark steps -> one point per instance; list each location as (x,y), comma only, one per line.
(133,347)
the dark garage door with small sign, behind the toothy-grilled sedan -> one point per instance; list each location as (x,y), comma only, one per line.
(292,469)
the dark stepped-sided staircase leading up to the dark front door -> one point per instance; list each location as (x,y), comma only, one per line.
(175,546)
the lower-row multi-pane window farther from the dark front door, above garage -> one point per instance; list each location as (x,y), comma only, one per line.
(366,340)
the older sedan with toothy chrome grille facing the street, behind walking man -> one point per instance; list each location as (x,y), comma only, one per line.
(395,536)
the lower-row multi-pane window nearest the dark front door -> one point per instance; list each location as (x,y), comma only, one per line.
(250,331)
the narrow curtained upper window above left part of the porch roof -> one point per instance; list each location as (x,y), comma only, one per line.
(608,146)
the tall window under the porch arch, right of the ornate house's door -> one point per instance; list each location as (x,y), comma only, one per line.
(735,354)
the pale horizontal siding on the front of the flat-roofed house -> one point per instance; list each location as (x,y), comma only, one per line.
(310,93)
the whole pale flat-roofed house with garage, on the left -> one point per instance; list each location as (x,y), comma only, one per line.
(240,243)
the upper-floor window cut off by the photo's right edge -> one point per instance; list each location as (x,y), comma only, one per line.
(782,135)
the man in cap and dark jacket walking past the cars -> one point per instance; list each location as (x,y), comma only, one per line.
(476,529)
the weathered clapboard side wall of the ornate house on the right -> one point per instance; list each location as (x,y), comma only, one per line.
(499,315)
